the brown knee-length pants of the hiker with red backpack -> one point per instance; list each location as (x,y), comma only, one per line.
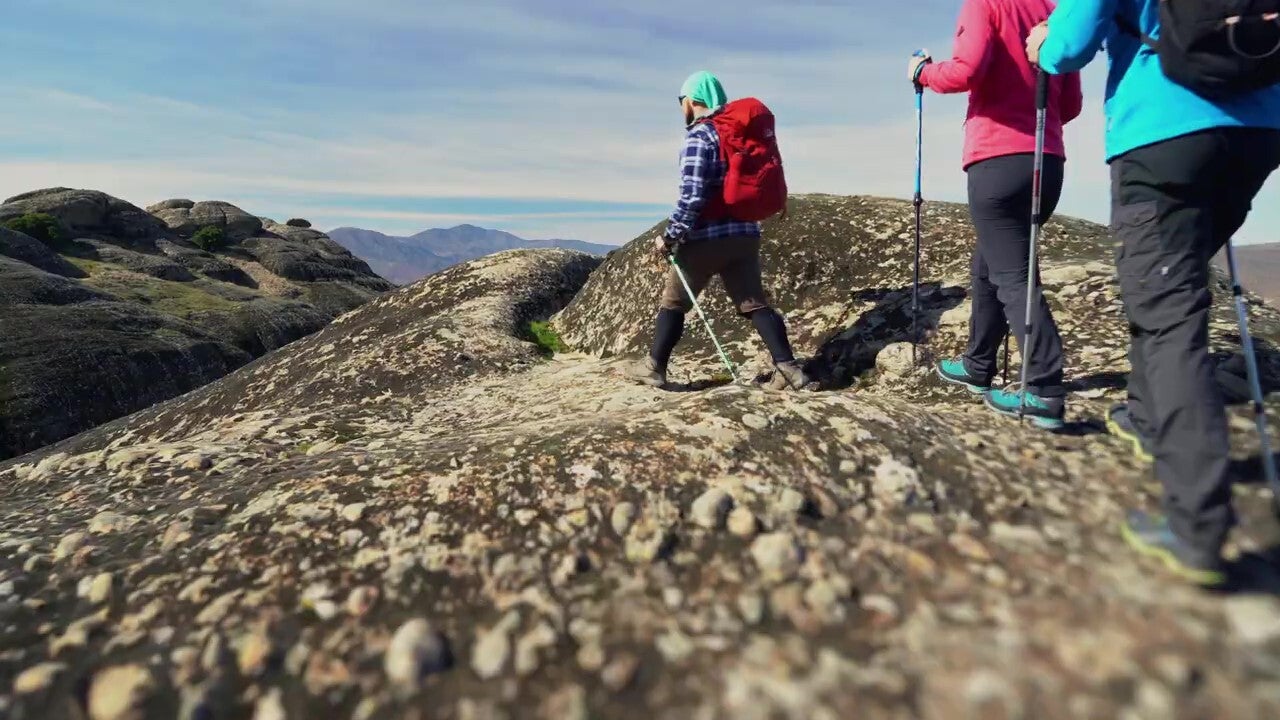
(735,259)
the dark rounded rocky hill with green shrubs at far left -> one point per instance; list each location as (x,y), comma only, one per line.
(122,308)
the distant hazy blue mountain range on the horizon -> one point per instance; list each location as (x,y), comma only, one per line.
(404,261)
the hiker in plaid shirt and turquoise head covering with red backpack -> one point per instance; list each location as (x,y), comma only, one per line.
(732,179)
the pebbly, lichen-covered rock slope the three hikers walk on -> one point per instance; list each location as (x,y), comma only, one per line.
(414,513)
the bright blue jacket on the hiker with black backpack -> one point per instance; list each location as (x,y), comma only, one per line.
(1142,106)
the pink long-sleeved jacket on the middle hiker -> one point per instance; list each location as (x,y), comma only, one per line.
(990,63)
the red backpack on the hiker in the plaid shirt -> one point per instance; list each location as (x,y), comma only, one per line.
(756,188)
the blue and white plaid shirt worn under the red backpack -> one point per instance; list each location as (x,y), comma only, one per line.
(702,176)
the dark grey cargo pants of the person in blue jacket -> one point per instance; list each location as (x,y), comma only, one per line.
(1173,207)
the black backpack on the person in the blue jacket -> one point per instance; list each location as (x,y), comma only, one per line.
(1217,48)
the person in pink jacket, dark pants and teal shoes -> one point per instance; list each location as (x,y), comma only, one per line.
(990,63)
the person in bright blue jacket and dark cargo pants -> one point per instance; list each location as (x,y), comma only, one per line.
(1185,174)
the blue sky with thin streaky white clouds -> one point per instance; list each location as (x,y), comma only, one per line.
(548,119)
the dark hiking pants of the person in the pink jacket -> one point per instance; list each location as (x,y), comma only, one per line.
(1000,204)
